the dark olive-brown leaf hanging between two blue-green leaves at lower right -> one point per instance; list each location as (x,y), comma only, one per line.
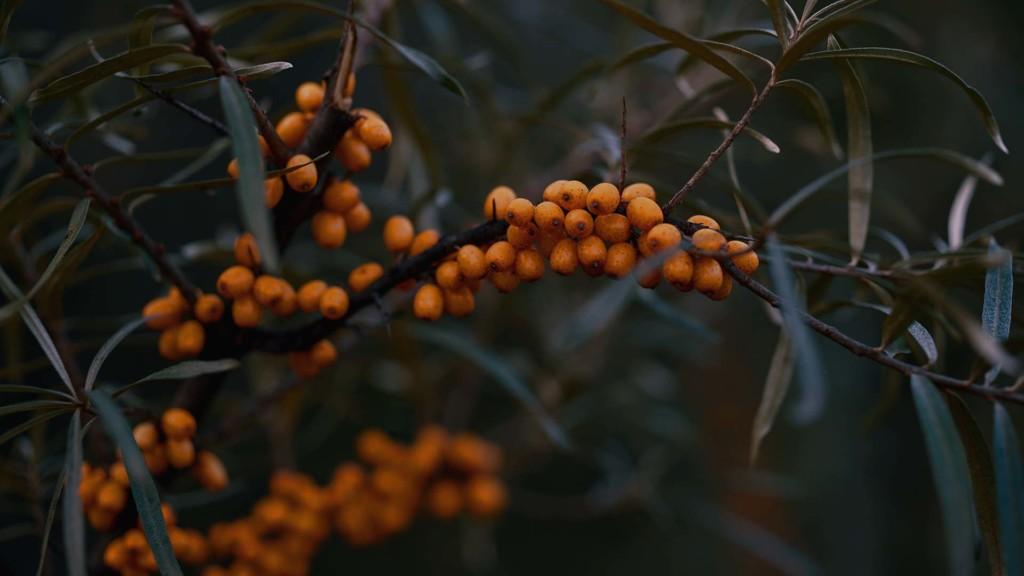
(979,462)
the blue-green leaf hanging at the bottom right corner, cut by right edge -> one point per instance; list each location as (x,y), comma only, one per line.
(1009,489)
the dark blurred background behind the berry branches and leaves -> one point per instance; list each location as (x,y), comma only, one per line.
(657,392)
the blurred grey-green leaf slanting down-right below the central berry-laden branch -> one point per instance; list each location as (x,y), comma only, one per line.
(501,372)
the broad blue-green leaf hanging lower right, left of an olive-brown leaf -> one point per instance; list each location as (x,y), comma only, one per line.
(950,471)
